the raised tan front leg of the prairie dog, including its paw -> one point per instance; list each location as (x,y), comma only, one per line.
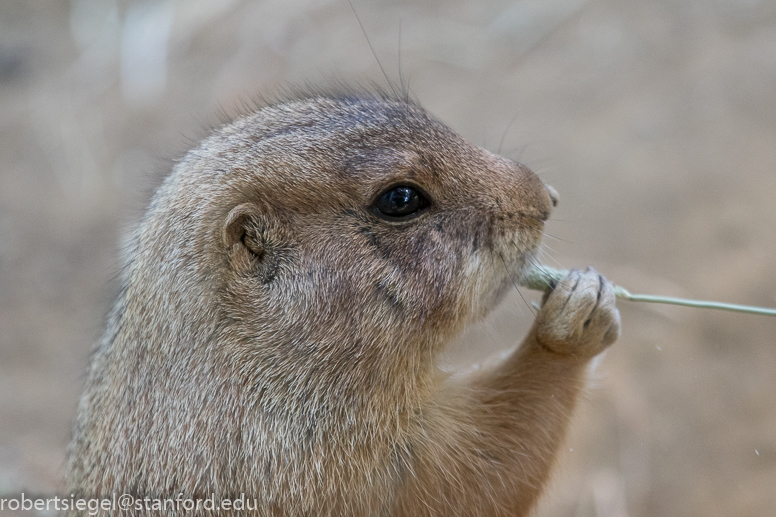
(488,444)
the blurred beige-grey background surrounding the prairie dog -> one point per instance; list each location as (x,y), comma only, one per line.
(656,122)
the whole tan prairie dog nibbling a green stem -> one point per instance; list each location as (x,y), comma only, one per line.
(283,305)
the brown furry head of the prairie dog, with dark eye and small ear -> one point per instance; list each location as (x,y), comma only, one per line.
(342,222)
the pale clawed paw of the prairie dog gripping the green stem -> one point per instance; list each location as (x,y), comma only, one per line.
(579,316)
